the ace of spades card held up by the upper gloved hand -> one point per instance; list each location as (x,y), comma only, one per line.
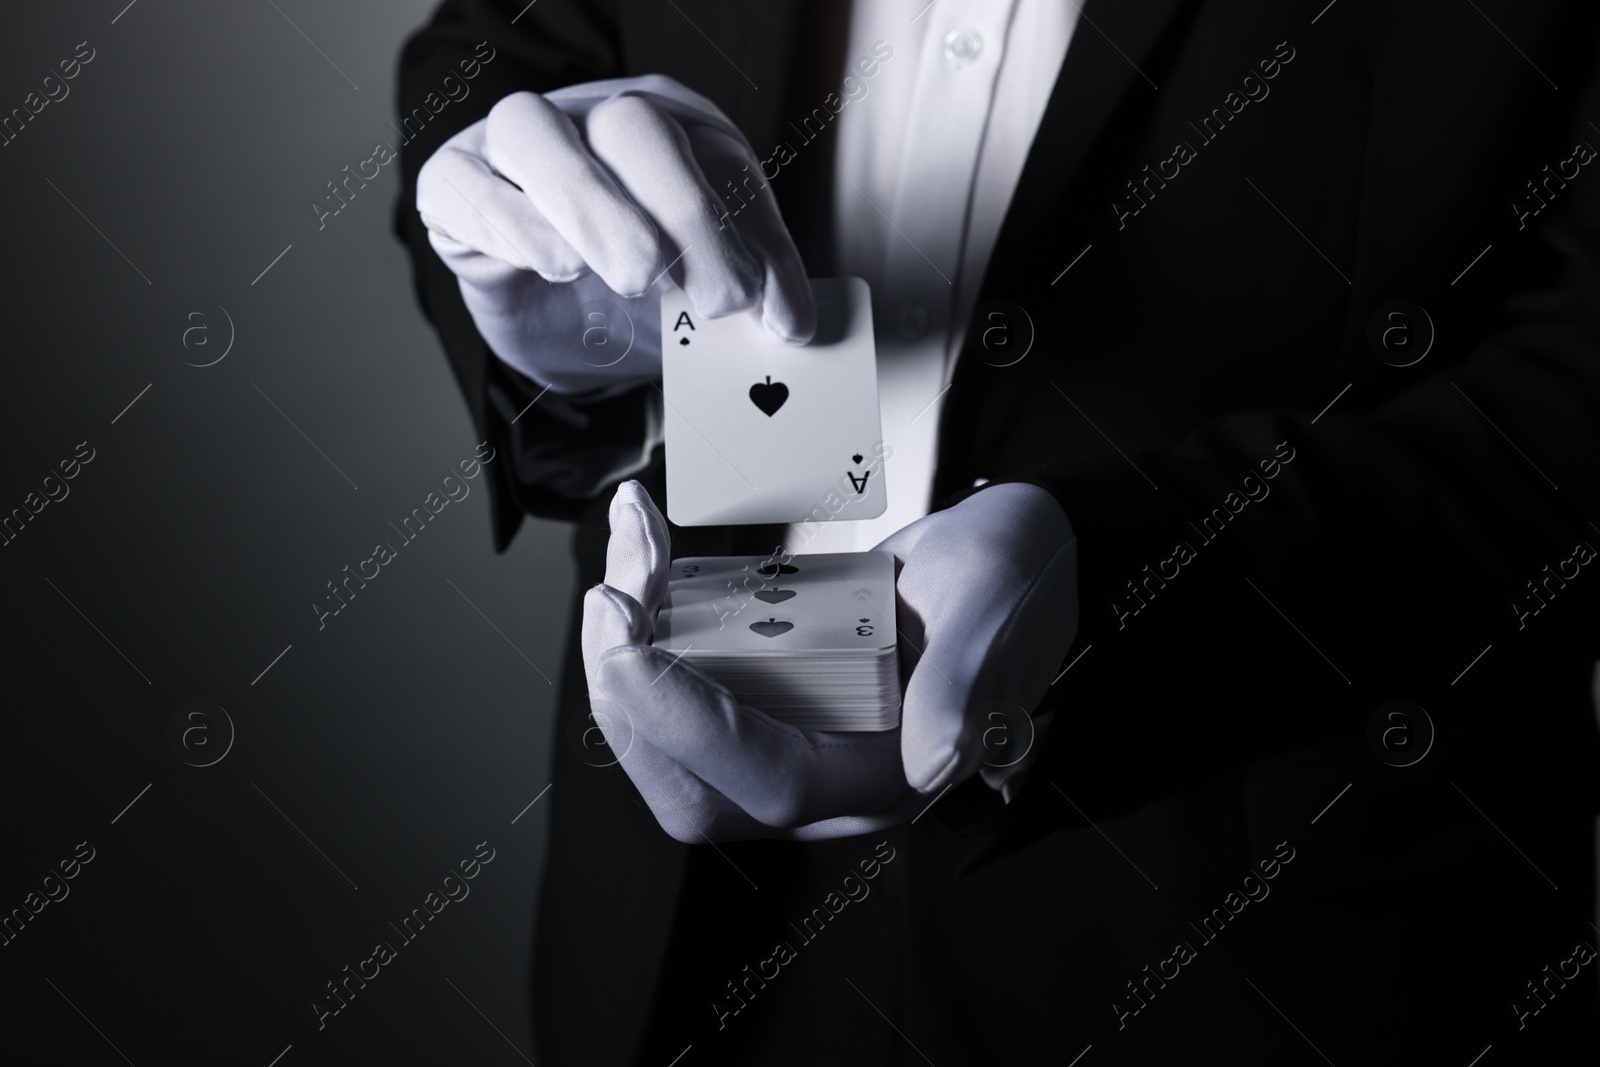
(759,431)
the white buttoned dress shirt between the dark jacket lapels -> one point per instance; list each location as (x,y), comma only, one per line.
(927,162)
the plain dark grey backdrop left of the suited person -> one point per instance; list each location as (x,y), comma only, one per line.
(196,541)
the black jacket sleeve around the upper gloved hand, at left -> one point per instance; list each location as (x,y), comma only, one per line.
(564,450)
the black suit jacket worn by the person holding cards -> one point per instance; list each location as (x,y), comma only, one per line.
(1281,532)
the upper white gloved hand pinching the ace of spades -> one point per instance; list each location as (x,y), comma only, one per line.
(558,210)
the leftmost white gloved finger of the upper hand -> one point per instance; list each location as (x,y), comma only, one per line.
(460,198)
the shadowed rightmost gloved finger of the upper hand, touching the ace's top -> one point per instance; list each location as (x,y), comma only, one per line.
(788,306)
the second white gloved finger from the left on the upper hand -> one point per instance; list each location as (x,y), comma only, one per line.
(537,146)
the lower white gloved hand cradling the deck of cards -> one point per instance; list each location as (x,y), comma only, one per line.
(988,609)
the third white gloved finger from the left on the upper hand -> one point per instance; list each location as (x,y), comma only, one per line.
(650,156)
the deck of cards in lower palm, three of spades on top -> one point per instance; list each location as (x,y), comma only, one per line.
(809,641)
